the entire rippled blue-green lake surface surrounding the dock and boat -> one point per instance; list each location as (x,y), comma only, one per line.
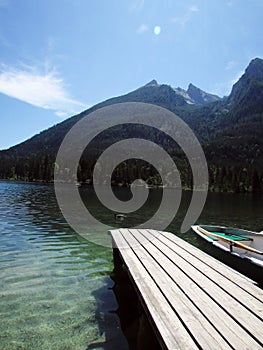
(56,291)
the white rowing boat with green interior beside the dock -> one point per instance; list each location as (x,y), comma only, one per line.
(241,243)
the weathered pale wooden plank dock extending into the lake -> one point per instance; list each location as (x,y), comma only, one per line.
(192,300)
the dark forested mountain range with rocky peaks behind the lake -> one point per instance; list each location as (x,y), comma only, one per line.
(229,130)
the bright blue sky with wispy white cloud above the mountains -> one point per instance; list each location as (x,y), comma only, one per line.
(60,57)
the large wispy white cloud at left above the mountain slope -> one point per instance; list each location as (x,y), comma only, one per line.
(46,90)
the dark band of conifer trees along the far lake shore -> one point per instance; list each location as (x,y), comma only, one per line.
(235,179)
